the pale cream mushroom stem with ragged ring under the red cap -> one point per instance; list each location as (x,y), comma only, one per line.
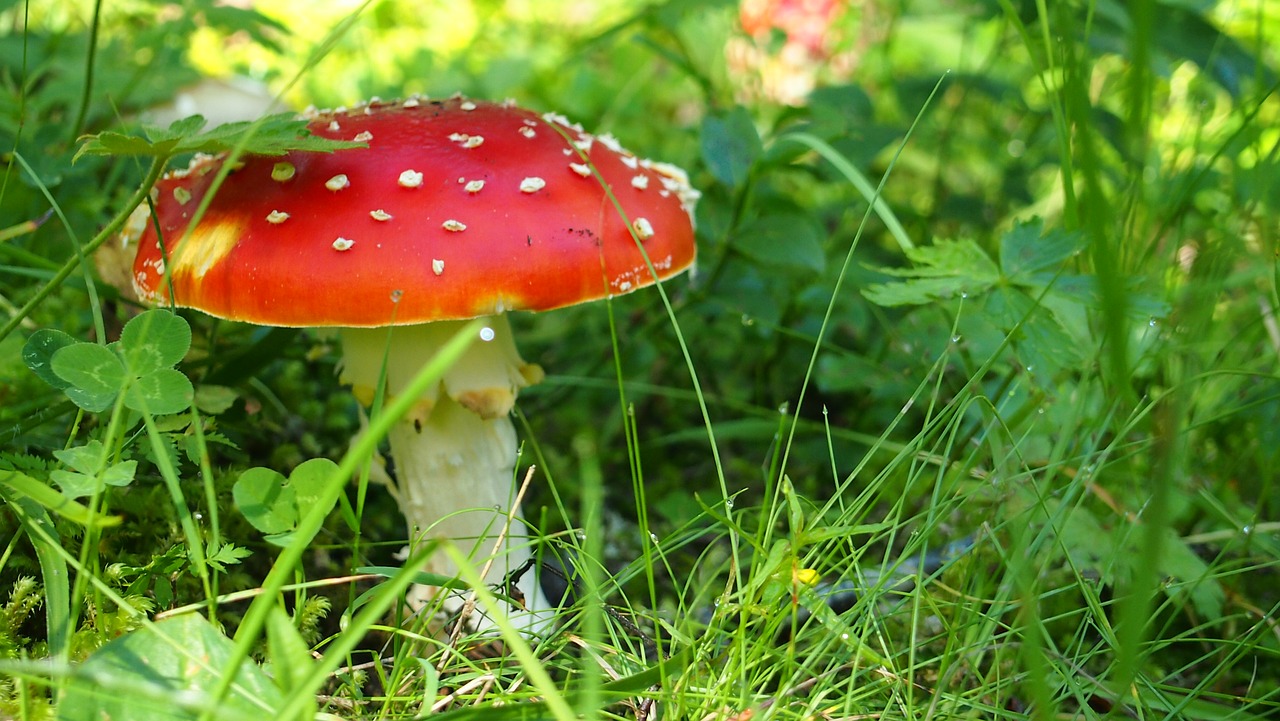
(455,453)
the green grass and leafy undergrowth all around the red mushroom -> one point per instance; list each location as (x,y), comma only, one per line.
(982,337)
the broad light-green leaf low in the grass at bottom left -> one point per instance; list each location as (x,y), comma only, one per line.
(167,672)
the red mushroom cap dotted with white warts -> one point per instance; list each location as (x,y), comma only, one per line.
(456,209)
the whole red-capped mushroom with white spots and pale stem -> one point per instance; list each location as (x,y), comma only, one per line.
(456,209)
